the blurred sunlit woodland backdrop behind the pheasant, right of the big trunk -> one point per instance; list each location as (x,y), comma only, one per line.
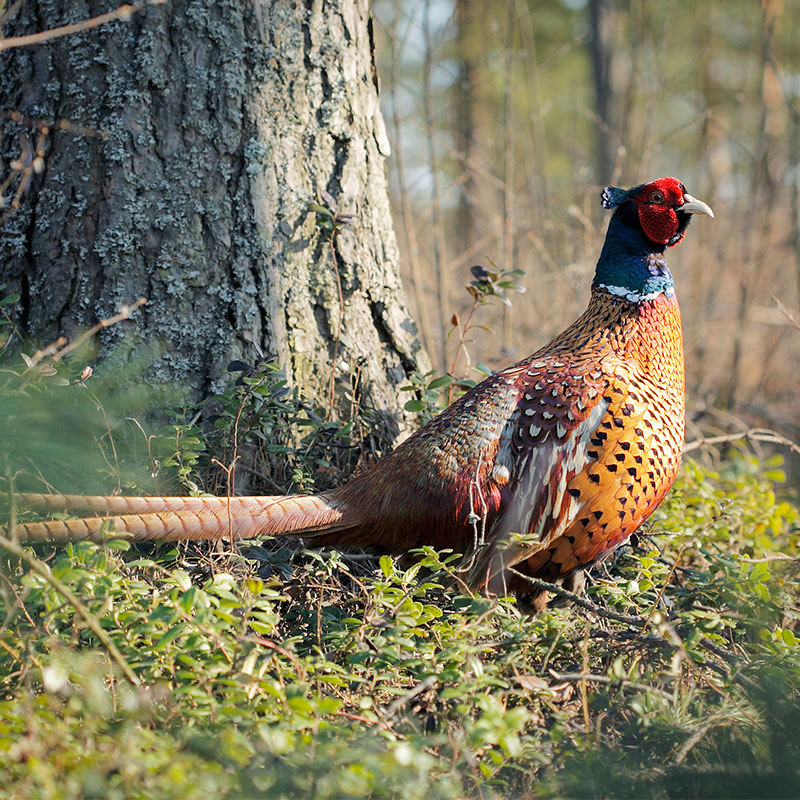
(507,118)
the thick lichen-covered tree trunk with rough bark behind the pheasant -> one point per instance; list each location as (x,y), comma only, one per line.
(224,121)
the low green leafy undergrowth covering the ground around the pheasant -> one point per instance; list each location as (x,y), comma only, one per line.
(272,671)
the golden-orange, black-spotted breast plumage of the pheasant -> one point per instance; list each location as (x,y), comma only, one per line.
(633,449)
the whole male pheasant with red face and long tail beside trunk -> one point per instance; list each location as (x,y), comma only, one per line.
(541,470)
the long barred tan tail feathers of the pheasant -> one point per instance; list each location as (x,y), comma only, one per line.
(205,518)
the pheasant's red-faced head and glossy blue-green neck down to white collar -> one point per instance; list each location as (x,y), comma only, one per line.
(648,219)
